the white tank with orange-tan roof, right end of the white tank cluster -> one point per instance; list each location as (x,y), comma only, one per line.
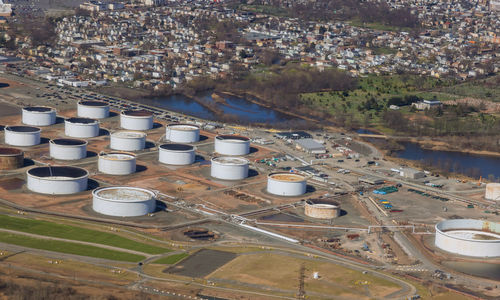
(286,184)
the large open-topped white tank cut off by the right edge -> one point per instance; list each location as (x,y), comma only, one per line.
(476,238)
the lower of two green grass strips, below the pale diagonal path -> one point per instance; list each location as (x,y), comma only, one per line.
(67,247)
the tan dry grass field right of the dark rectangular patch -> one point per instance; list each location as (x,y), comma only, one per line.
(280,272)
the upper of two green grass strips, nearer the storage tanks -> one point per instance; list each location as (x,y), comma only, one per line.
(76,233)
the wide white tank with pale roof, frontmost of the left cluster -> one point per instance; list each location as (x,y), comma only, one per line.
(123,201)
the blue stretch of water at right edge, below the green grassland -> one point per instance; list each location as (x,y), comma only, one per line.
(464,163)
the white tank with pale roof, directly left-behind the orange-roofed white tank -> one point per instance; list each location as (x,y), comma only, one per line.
(229,168)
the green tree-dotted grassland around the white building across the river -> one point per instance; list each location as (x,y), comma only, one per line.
(381,89)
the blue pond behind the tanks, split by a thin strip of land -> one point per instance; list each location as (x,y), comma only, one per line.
(244,110)
